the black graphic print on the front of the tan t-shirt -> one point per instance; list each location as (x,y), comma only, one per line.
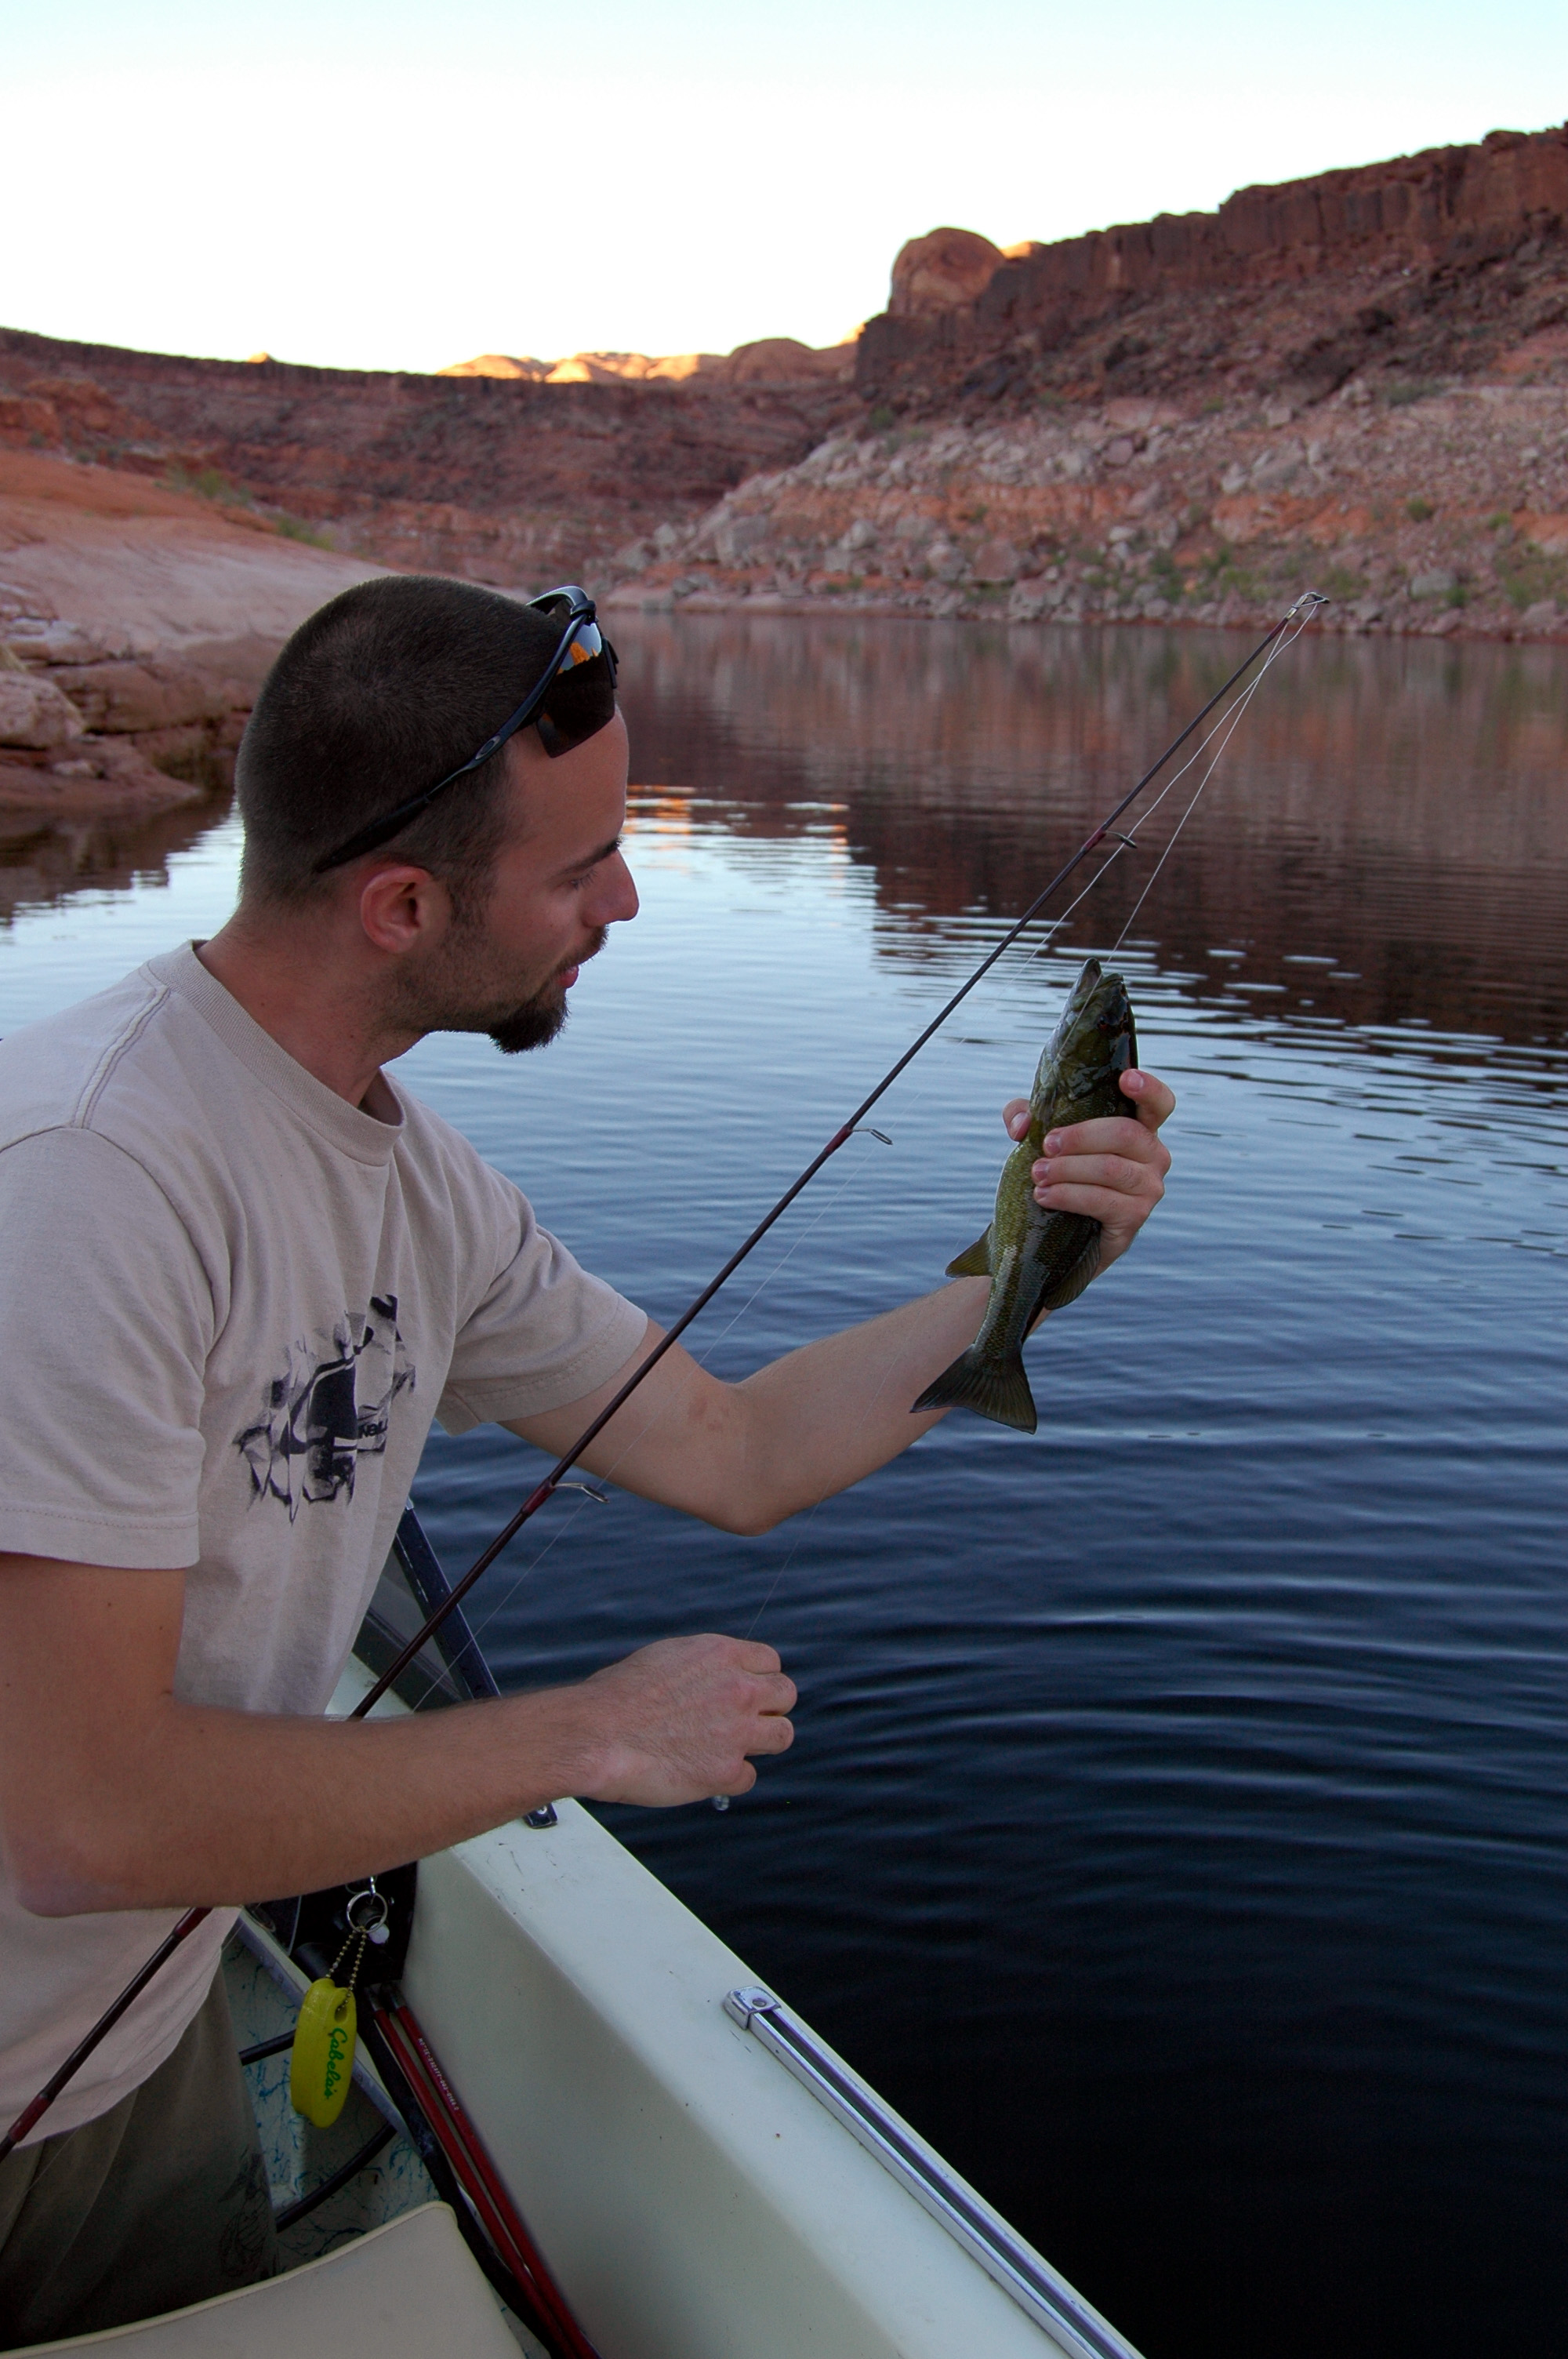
(329,1410)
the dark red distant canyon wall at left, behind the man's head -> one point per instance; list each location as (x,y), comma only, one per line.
(513,482)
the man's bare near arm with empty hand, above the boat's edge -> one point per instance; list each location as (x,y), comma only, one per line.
(117,1796)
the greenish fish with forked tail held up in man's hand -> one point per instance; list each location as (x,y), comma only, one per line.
(1041,1261)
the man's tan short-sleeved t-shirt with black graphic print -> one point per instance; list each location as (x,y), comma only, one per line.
(230,1308)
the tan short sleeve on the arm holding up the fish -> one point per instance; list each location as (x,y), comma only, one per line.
(543,1332)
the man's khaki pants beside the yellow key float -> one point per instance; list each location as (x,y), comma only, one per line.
(157,2204)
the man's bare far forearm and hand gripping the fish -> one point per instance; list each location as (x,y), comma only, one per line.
(746,1457)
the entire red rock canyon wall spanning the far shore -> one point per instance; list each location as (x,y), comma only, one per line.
(1357,381)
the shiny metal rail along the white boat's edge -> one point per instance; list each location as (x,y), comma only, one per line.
(984,2235)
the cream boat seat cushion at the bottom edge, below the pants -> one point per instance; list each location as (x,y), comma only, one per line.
(402,2292)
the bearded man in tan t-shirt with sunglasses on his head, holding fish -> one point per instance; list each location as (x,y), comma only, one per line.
(244,1273)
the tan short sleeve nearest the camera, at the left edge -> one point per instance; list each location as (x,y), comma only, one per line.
(105,1334)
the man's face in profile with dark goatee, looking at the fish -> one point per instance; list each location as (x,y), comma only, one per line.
(555,891)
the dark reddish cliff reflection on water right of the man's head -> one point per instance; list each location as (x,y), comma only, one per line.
(1385,841)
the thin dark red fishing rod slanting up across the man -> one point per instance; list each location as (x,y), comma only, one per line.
(1305,607)
